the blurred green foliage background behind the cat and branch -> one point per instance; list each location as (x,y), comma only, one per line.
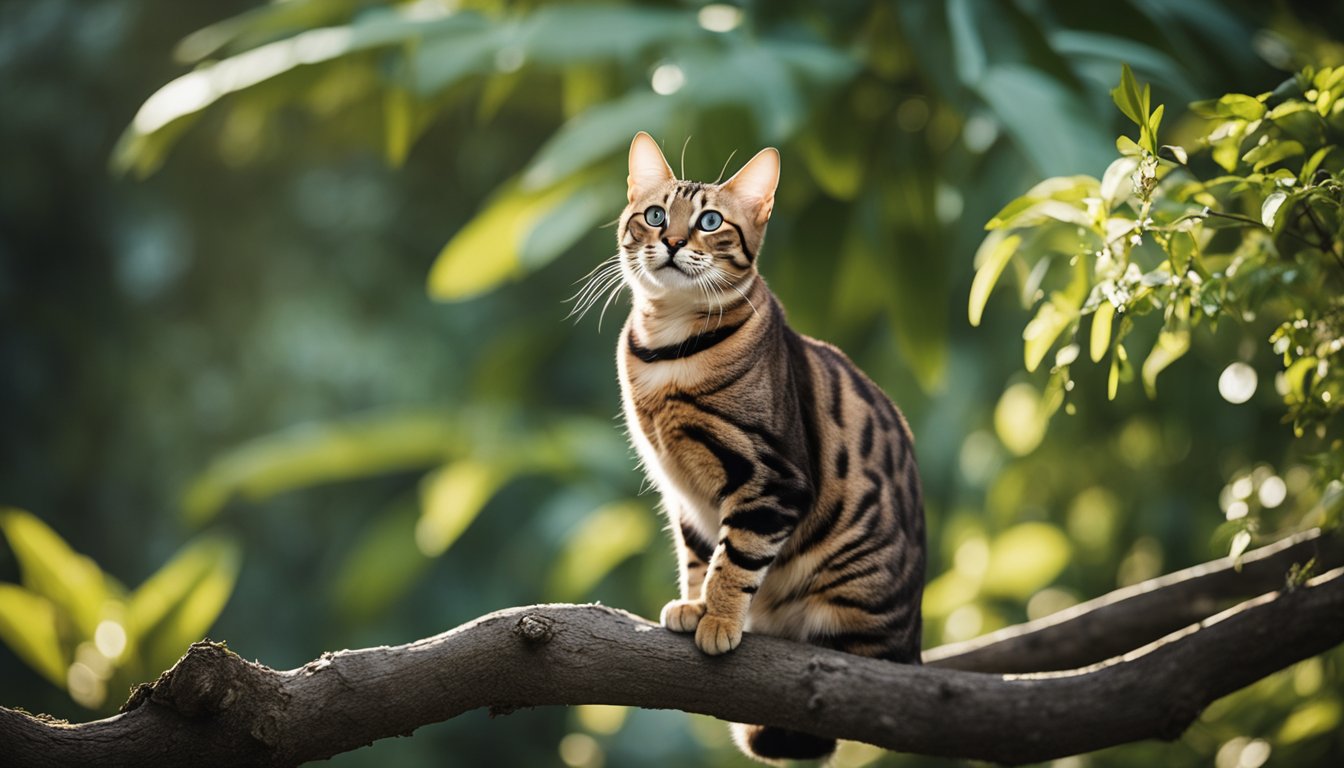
(241,338)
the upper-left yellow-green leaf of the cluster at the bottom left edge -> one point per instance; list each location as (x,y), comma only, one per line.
(73,583)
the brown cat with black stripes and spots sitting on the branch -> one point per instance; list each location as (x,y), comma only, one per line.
(787,475)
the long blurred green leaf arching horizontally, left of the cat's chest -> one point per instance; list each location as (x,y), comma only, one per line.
(315,454)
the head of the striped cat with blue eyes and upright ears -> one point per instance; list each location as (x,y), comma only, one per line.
(689,239)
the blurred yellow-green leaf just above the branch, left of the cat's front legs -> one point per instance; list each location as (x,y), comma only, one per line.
(603,541)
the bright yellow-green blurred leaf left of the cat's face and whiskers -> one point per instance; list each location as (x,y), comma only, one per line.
(490,249)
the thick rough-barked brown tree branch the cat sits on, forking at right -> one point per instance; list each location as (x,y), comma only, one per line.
(217,709)
